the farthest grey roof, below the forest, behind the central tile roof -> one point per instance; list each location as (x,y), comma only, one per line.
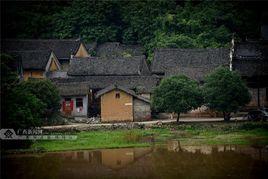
(115,49)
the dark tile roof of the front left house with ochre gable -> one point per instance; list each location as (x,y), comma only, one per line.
(33,60)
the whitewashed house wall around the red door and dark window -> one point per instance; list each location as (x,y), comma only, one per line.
(76,111)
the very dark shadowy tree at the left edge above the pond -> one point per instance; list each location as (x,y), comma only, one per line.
(19,108)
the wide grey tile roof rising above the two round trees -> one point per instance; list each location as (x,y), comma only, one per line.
(194,63)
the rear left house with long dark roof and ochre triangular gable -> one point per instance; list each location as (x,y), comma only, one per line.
(63,49)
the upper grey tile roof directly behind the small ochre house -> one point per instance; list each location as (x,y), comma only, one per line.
(95,66)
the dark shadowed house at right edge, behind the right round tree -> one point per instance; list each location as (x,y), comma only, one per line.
(250,59)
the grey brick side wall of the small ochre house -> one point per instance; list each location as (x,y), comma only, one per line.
(142,110)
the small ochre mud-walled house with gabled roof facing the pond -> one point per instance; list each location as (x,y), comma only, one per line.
(121,104)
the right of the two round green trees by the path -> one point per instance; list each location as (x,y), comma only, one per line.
(225,91)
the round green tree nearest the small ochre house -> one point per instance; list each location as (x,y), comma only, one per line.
(177,94)
